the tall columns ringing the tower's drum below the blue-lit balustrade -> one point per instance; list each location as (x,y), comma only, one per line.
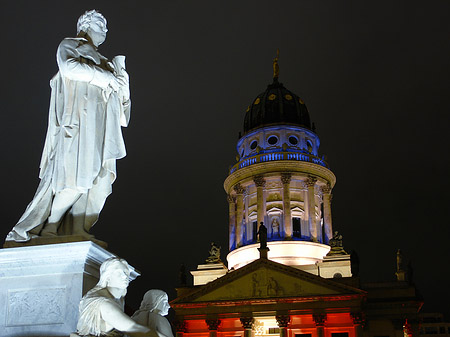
(237,209)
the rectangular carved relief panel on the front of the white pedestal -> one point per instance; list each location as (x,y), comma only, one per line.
(36,306)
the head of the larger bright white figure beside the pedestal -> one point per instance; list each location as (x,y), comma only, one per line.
(115,273)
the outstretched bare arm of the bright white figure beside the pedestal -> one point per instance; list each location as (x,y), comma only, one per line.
(112,315)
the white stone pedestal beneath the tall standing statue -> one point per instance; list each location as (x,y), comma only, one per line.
(41,286)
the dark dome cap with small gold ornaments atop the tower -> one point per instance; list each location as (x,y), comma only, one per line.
(277,105)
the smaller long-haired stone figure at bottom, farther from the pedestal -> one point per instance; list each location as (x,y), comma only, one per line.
(154,306)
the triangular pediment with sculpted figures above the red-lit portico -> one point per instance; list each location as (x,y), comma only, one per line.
(264,279)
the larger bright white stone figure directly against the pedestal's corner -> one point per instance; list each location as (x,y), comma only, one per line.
(101,309)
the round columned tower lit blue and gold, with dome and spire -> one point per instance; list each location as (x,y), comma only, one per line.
(280,181)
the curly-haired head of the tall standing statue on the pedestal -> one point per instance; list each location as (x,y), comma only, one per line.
(92,24)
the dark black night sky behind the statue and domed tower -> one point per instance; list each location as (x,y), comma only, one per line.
(374,75)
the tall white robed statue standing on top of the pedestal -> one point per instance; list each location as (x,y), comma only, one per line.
(89,104)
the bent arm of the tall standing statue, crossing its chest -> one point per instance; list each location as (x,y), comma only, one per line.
(70,66)
